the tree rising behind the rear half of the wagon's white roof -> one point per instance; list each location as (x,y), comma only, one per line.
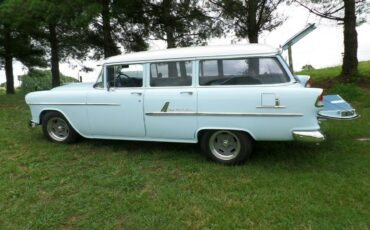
(248,18)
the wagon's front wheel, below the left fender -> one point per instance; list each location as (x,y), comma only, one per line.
(57,129)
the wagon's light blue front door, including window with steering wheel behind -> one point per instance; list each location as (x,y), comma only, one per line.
(116,111)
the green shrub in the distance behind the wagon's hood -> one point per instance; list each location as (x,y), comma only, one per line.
(37,80)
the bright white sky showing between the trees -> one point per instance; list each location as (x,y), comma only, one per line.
(321,48)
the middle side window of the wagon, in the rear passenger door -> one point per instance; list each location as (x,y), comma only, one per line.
(171,73)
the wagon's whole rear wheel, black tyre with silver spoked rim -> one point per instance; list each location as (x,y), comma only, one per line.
(226,146)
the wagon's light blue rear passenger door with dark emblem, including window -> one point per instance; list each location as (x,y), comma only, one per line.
(170,101)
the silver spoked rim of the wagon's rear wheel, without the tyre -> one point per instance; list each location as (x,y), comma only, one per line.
(224,145)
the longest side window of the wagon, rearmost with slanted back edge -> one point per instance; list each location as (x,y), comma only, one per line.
(242,71)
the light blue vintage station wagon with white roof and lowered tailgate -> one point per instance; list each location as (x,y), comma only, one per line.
(224,97)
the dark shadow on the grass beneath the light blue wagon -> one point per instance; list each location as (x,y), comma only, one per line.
(265,153)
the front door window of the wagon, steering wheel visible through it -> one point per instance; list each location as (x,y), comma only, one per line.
(124,76)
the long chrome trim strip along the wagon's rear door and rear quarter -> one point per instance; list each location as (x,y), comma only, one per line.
(224,114)
